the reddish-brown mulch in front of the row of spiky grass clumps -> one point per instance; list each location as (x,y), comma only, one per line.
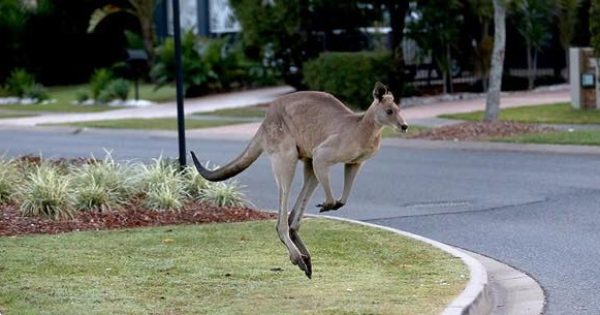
(13,223)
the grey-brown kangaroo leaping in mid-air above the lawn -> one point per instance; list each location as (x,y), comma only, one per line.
(319,130)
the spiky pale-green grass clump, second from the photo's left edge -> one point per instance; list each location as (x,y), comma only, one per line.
(47,192)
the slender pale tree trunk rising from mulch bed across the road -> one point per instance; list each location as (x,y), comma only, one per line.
(492,105)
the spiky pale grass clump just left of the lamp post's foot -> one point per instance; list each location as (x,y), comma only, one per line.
(163,185)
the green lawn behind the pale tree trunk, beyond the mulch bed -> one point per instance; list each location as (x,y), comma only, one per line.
(561,113)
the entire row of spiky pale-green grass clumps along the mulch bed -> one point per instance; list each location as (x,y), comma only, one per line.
(57,190)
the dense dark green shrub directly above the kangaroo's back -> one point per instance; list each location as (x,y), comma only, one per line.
(349,76)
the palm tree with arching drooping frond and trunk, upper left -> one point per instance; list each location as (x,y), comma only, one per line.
(143,10)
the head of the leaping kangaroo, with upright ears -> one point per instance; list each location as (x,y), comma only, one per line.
(386,111)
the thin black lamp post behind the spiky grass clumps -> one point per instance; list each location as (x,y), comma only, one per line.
(179,85)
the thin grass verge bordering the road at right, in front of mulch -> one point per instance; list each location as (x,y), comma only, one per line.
(580,137)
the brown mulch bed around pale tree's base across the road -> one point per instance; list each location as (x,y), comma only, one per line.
(476,131)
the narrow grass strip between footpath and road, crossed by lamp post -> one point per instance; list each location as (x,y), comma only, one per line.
(154,123)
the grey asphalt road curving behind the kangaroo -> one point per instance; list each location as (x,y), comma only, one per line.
(537,212)
